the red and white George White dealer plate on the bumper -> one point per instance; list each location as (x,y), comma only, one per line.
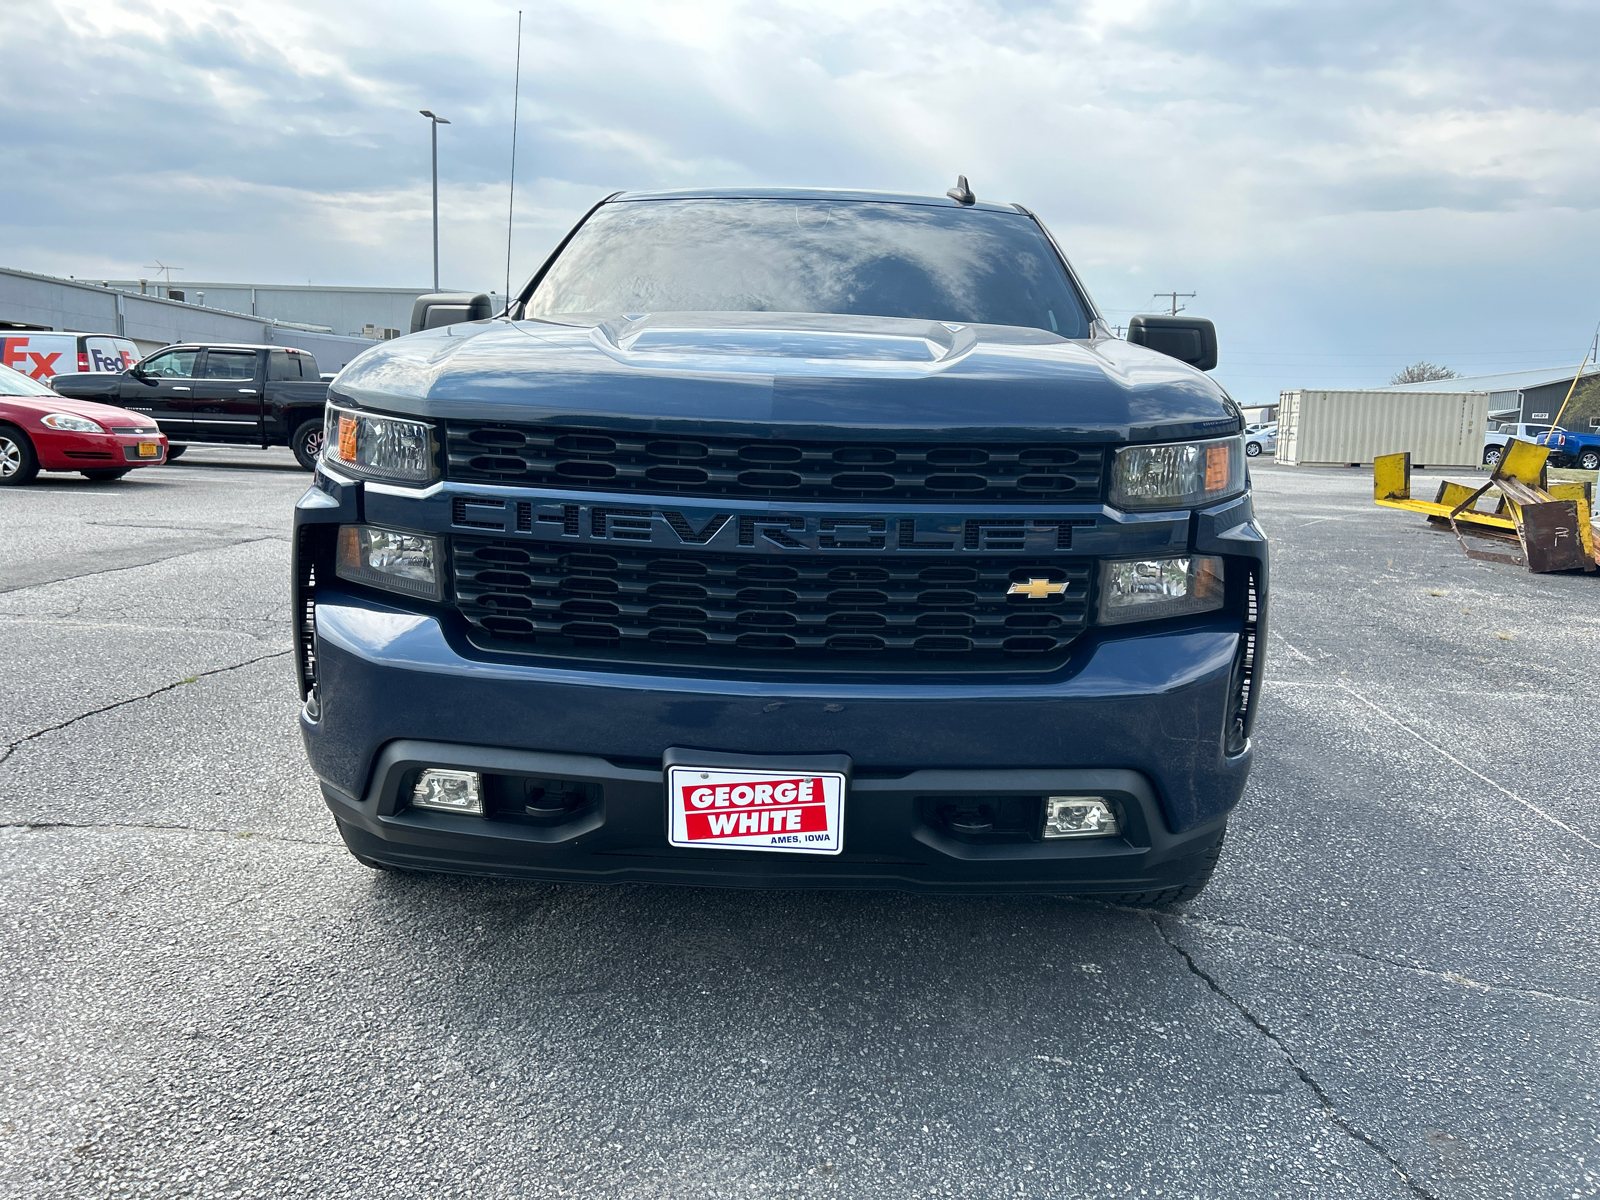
(786,812)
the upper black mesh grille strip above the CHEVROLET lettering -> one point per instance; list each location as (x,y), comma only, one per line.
(591,460)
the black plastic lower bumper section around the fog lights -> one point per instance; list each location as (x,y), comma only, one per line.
(900,830)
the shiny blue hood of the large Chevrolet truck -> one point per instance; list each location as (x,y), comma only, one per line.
(791,375)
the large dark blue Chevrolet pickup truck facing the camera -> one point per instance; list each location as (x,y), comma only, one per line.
(786,540)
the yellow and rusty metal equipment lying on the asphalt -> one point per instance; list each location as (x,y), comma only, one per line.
(1550,522)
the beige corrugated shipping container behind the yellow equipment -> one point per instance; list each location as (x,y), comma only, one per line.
(1338,430)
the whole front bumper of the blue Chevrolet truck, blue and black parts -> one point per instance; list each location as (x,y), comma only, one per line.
(1140,714)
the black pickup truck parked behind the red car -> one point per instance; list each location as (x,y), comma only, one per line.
(258,396)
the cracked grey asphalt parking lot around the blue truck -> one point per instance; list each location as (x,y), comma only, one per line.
(1391,990)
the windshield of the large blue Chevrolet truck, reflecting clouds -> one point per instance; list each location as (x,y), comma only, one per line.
(822,257)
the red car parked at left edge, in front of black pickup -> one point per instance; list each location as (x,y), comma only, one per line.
(44,431)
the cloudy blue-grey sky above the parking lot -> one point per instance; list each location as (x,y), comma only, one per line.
(1346,188)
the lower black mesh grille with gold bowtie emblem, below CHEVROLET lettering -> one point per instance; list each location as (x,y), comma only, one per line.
(719,607)
